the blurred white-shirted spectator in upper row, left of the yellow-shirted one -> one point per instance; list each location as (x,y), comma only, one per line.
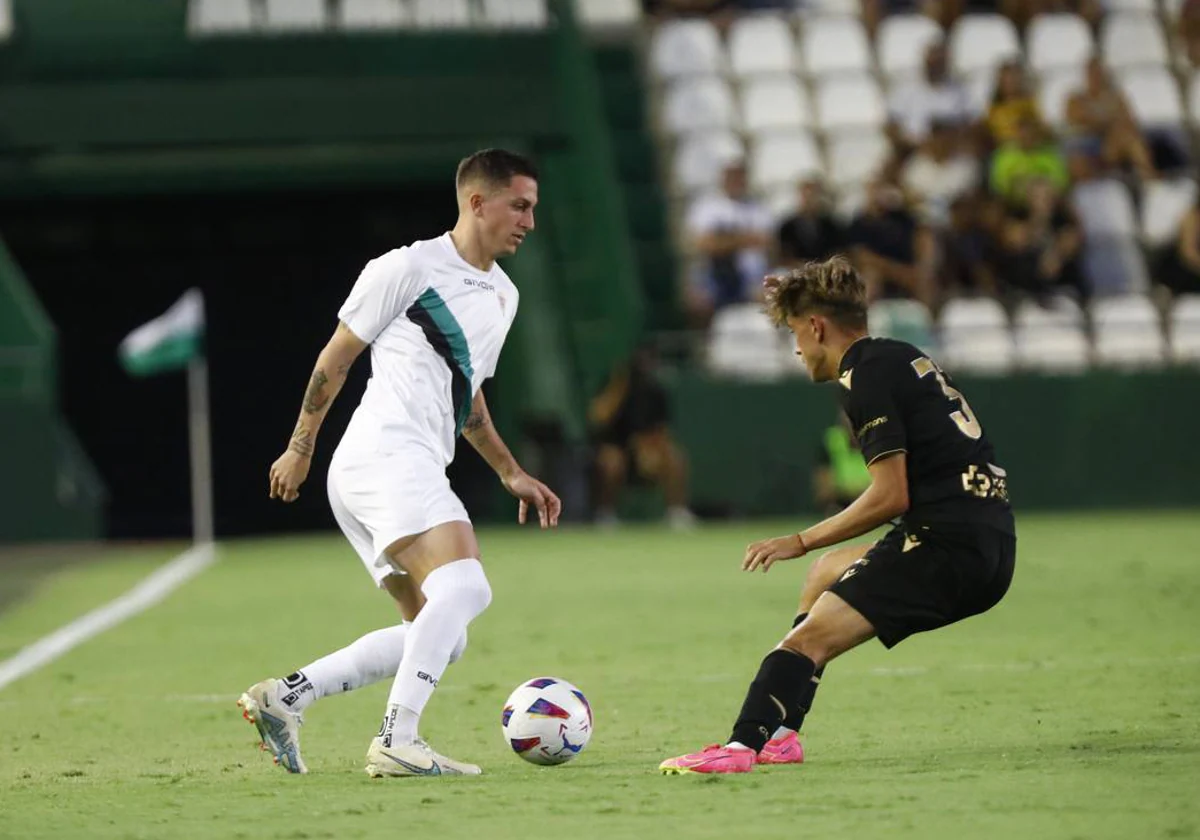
(935,97)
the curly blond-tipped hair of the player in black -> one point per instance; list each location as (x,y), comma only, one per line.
(832,289)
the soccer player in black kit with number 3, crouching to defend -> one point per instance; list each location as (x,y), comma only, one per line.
(949,556)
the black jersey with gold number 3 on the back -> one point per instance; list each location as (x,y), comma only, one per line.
(901,401)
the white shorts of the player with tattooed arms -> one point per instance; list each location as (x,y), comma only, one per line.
(382,495)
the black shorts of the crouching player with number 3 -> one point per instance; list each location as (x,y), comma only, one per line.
(923,578)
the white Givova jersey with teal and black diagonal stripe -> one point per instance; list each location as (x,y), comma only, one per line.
(436,326)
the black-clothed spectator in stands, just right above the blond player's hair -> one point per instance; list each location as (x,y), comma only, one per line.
(892,251)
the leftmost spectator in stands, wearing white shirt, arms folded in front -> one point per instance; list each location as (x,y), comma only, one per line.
(730,233)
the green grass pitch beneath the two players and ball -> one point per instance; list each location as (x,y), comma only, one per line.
(1071,711)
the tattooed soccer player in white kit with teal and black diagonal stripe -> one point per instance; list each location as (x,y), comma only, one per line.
(435,315)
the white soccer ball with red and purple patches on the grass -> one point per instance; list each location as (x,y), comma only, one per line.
(547,722)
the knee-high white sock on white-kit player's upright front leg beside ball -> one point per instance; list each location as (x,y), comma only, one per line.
(454,596)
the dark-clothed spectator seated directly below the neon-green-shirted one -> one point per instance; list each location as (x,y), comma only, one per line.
(1041,243)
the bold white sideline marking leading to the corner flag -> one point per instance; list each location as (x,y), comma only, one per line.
(153,590)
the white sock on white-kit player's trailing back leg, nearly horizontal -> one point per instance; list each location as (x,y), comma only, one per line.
(369,661)
